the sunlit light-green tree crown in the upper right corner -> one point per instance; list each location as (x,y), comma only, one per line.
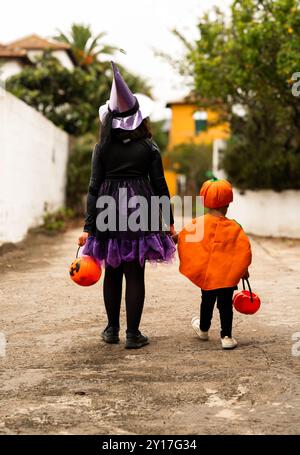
(257,50)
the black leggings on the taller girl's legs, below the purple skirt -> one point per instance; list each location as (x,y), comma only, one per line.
(134,296)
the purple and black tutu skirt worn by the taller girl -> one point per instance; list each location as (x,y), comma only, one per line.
(112,248)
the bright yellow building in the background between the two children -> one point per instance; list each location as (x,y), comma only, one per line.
(192,125)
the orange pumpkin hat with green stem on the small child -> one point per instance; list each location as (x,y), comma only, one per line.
(216,193)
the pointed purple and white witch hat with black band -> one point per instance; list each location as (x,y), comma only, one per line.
(127,110)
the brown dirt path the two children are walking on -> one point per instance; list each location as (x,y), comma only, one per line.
(58,377)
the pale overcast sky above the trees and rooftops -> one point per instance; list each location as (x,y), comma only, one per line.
(137,26)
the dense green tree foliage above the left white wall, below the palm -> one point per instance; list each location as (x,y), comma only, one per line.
(70,99)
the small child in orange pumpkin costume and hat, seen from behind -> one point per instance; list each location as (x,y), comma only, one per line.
(215,260)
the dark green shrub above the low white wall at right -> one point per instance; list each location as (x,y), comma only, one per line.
(255,159)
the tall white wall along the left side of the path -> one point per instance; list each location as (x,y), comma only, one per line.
(33,160)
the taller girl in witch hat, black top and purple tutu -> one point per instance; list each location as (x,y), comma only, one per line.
(126,168)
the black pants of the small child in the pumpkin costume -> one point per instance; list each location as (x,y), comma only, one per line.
(224,305)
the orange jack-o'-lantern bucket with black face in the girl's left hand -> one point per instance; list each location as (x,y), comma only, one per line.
(85,270)
